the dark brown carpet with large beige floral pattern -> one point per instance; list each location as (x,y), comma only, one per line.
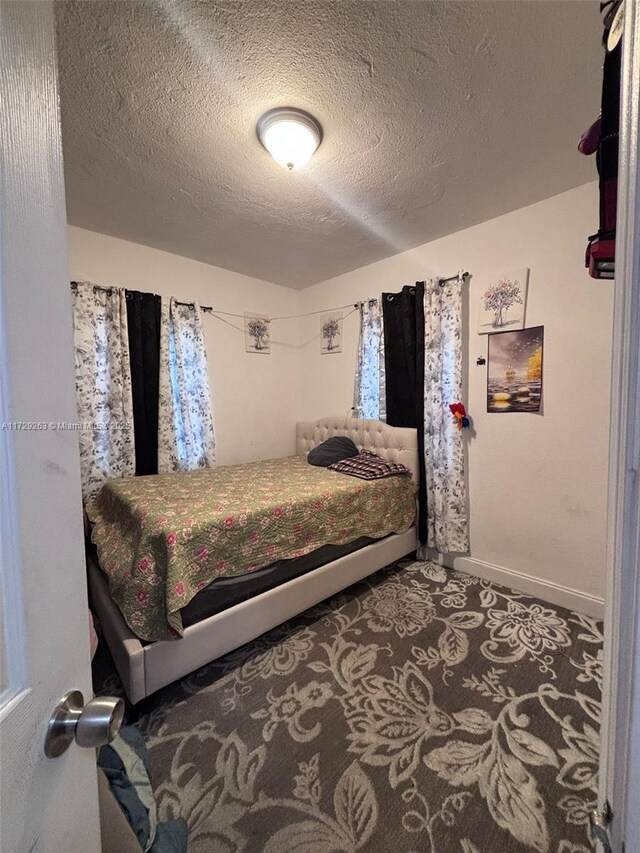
(422,711)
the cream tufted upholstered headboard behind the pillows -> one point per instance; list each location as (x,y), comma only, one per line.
(396,444)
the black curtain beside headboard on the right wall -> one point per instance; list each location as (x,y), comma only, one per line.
(403,317)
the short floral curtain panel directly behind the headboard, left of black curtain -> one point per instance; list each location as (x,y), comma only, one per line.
(369,394)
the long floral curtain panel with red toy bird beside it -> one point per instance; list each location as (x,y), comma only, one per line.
(443,444)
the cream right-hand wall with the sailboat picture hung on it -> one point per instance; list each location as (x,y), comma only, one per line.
(537,482)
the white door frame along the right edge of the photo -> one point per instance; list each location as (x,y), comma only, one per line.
(619,782)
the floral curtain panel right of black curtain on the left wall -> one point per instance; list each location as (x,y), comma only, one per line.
(186,438)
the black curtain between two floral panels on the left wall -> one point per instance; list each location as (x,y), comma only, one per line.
(143,317)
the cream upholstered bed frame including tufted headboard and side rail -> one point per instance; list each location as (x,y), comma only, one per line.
(144,669)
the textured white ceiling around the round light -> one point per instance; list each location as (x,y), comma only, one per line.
(436,115)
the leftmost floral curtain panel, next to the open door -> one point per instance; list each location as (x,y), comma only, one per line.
(103,385)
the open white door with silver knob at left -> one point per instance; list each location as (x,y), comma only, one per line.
(45,805)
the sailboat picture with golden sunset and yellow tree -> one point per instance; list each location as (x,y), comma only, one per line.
(514,371)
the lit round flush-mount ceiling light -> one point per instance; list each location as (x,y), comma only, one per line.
(291,136)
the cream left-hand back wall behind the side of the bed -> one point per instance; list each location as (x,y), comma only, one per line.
(254,396)
